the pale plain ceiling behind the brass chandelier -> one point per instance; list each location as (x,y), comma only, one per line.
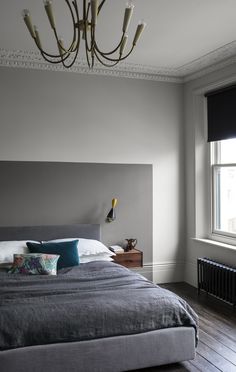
(182,37)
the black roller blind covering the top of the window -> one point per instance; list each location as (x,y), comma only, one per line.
(221,114)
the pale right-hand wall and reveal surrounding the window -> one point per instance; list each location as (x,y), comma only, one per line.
(197,185)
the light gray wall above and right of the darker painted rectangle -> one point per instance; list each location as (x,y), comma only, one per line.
(67,117)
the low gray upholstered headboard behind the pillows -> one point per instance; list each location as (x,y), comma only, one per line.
(89,231)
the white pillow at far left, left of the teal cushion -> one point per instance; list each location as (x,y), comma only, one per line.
(8,248)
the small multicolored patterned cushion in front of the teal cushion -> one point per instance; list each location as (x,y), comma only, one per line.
(35,264)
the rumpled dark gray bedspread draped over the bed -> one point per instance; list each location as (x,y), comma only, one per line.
(93,300)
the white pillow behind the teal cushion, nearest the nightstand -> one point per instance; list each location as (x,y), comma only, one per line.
(88,247)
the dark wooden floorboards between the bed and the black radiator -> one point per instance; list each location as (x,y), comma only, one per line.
(216,349)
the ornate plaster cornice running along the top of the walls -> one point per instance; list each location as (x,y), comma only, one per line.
(219,58)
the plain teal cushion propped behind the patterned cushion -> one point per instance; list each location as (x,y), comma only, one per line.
(67,251)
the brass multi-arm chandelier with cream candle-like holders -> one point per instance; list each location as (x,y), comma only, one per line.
(84,26)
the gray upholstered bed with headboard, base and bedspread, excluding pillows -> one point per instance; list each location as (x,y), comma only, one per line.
(99,344)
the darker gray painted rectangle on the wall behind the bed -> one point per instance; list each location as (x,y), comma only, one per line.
(45,193)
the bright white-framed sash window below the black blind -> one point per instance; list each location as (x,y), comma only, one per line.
(223,170)
